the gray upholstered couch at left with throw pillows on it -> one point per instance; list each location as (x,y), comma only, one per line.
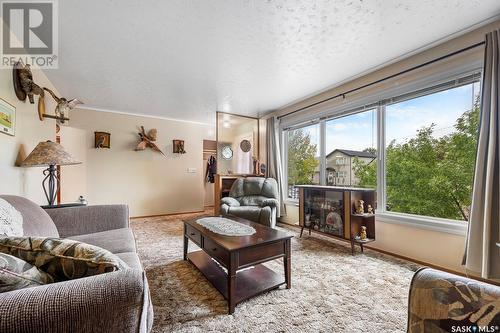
(110,302)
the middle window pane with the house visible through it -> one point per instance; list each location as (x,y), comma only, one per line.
(351,150)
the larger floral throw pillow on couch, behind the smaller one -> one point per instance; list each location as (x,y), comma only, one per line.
(63,259)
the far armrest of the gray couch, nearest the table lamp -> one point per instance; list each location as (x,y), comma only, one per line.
(72,221)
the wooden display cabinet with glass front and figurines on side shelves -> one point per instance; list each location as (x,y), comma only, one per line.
(331,210)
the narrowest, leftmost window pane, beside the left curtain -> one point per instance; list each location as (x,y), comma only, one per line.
(303,158)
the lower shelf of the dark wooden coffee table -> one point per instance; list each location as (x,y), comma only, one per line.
(249,282)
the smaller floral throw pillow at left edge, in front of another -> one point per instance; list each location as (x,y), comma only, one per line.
(17,274)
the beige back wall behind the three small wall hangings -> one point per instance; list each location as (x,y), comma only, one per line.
(148,182)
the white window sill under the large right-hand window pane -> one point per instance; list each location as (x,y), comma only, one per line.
(424,222)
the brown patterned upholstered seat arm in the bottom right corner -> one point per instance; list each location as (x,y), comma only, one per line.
(440,300)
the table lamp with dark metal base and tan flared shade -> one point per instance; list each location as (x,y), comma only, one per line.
(49,154)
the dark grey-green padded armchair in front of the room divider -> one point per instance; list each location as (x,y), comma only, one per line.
(253,198)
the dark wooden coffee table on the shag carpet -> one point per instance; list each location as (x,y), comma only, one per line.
(238,252)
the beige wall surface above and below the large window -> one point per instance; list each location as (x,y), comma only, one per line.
(438,248)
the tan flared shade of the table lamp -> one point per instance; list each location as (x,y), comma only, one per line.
(49,153)
